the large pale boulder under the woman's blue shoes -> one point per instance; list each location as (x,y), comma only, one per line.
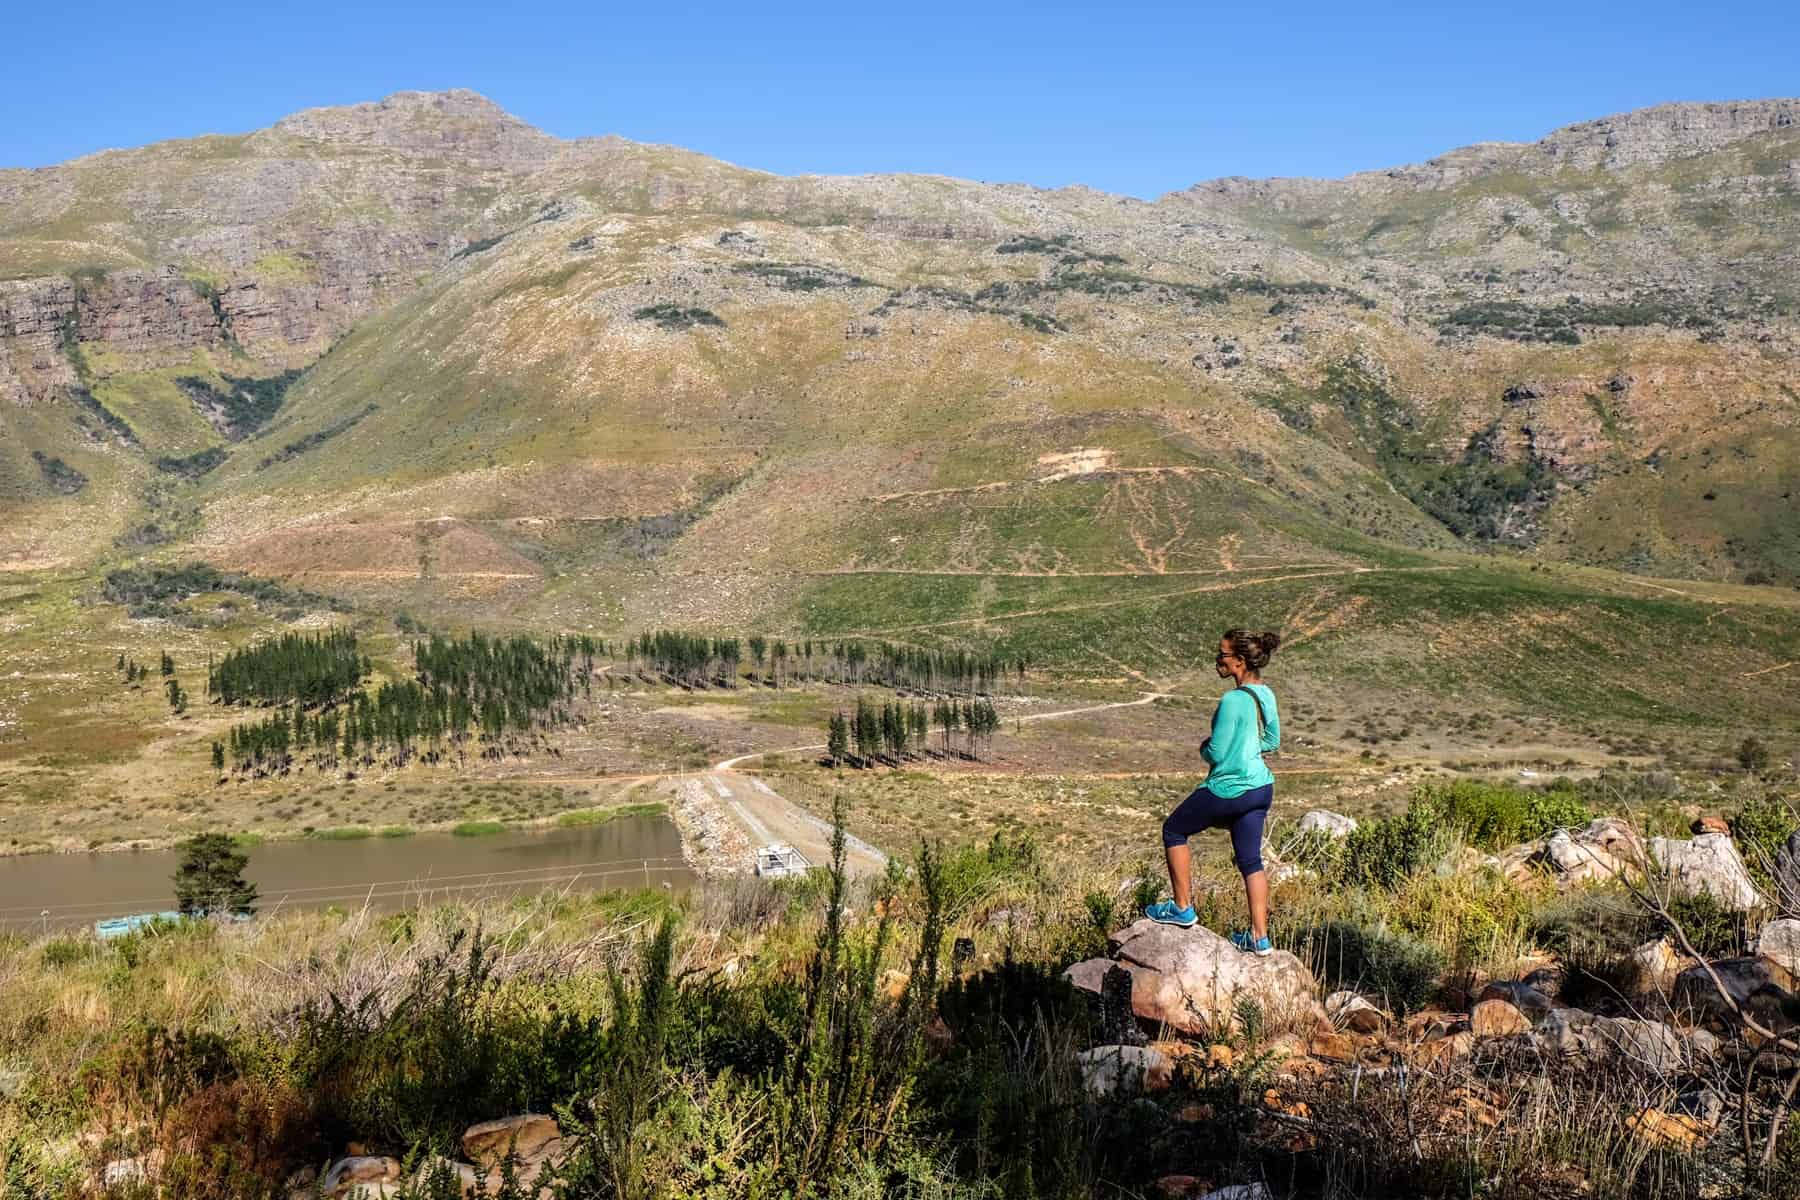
(1194,980)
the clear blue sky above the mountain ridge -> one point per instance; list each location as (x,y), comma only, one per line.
(1144,100)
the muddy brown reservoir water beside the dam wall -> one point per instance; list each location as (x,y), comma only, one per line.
(384,873)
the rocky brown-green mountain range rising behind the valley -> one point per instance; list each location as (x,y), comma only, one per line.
(420,354)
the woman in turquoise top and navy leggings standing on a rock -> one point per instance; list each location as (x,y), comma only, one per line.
(1237,791)
